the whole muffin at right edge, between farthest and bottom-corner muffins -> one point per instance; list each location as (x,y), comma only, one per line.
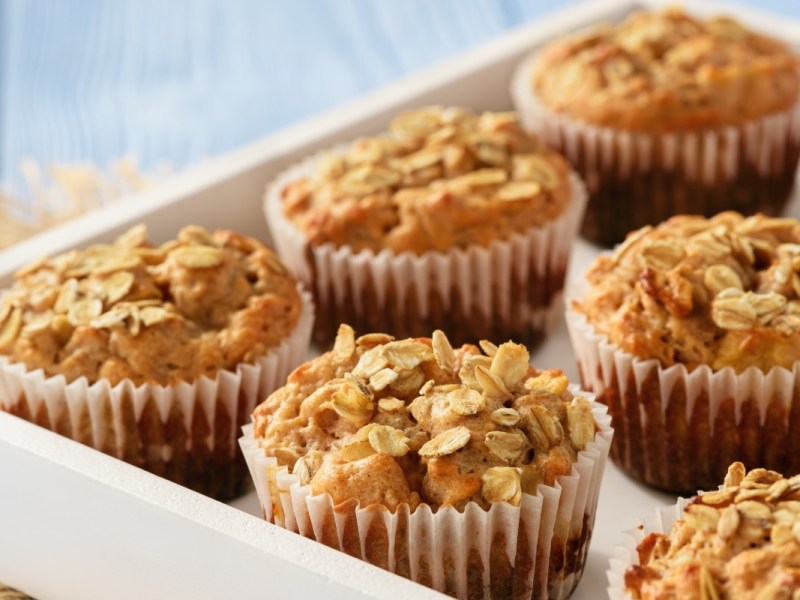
(690,333)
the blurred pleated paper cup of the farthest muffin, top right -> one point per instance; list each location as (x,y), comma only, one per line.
(639,178)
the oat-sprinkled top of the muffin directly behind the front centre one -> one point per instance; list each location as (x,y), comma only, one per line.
(439,178)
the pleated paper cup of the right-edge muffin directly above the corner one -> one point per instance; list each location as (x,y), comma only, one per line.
(679,430)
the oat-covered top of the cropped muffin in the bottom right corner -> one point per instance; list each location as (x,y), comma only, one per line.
(740,542)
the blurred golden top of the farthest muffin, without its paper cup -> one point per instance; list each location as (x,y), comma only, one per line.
(666,70)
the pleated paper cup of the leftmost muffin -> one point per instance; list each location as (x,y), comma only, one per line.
(186,432)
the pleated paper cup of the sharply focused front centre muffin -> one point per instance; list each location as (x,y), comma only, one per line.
(535,550)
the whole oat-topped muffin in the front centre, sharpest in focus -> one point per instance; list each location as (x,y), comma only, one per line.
(471,473)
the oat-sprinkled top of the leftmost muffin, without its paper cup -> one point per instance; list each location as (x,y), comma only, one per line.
(151,314)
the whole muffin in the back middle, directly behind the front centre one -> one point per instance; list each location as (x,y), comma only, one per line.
(449,220)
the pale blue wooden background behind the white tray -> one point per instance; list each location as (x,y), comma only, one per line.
(179,80)
